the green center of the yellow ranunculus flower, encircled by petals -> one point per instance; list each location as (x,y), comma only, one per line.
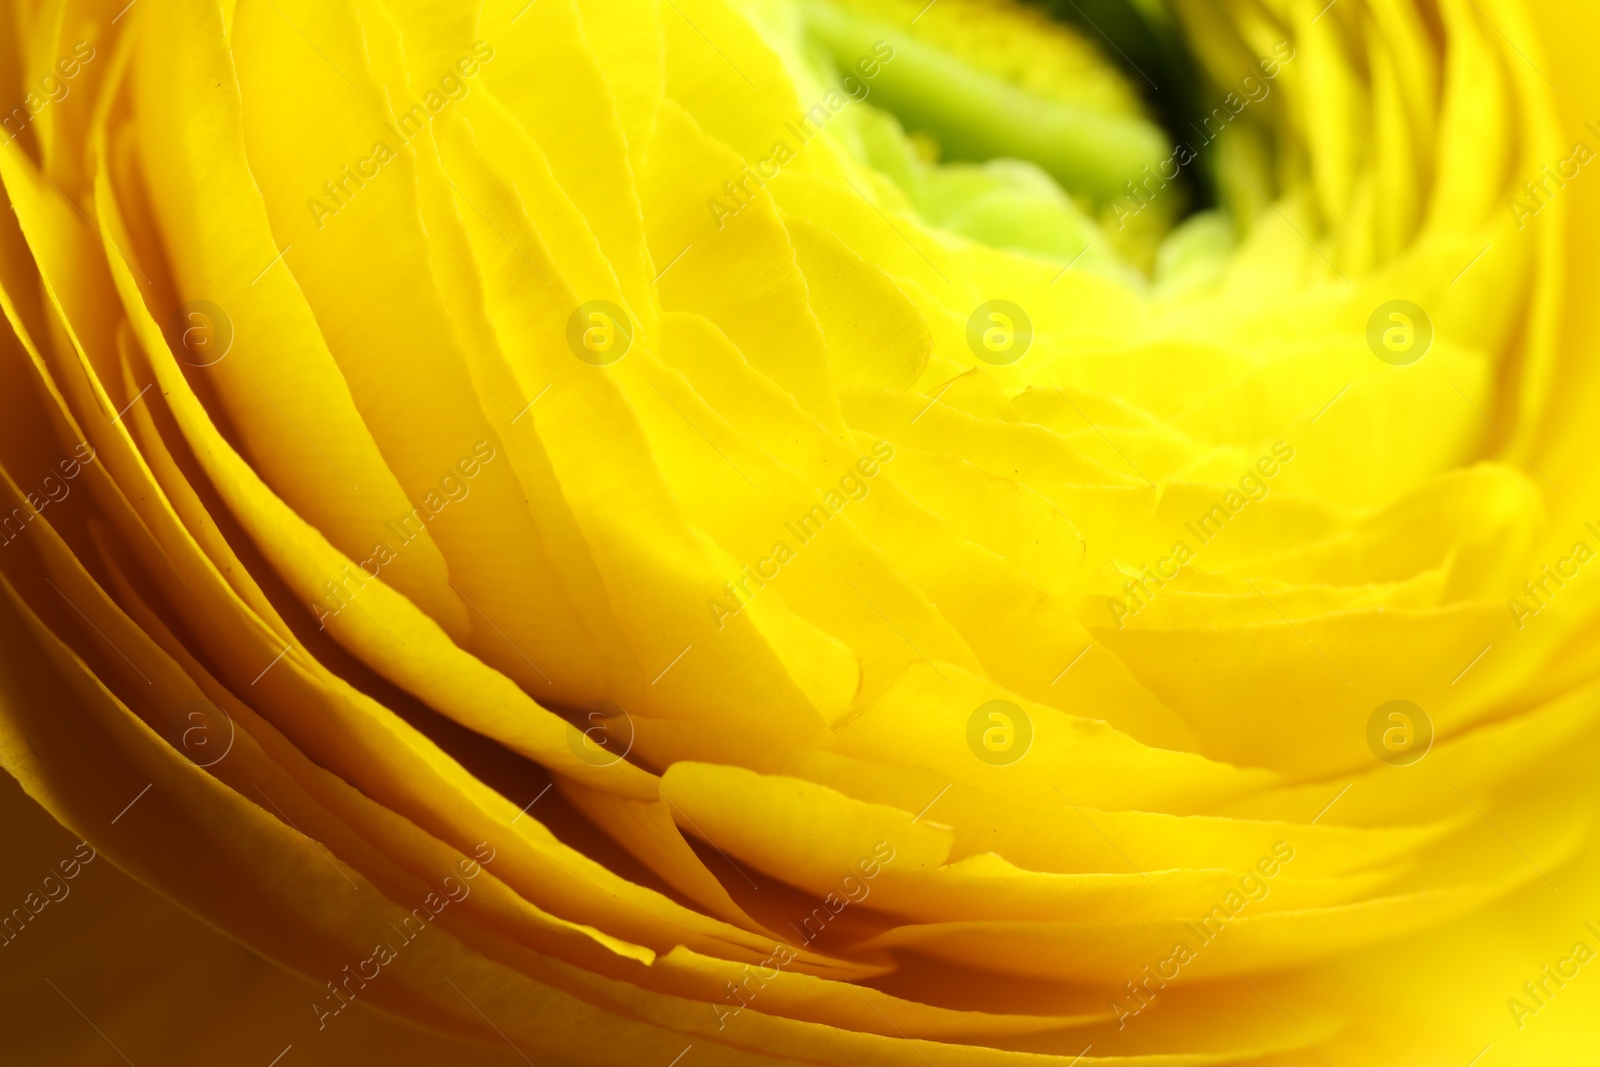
(1017,130)
